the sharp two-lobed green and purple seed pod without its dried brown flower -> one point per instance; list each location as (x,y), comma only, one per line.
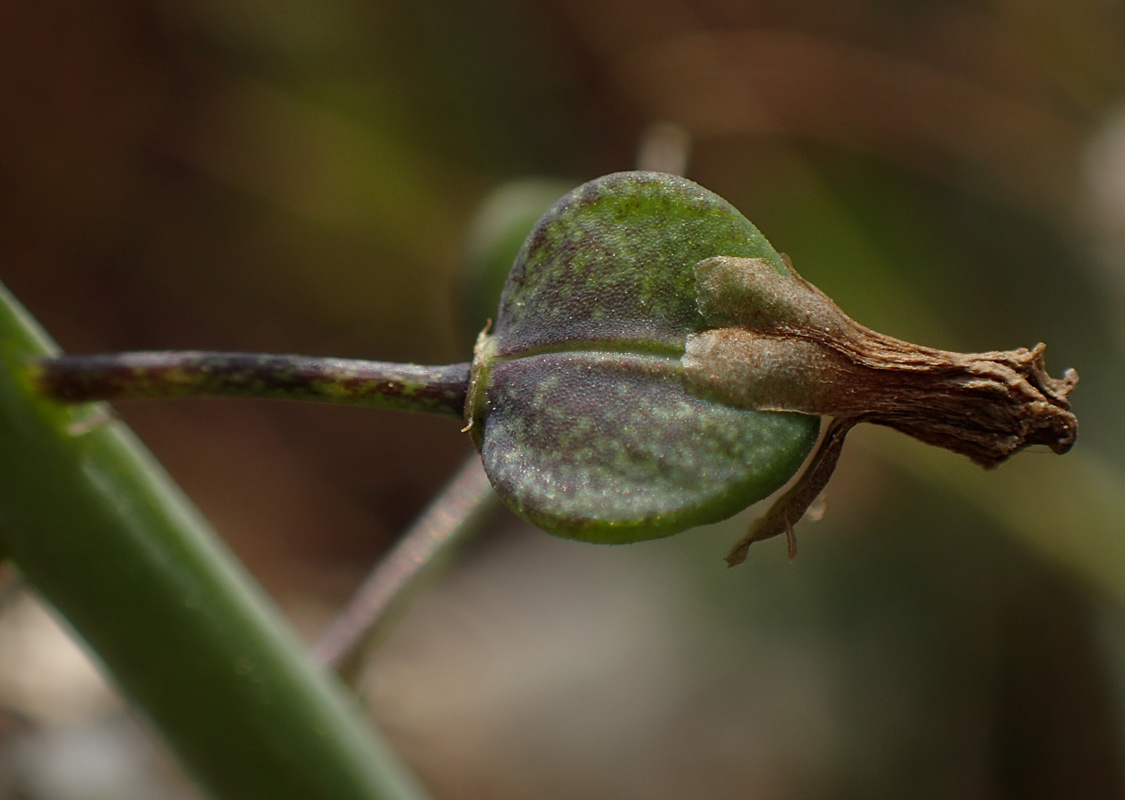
(580,402)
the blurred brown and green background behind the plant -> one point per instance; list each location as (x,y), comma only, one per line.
(304,176)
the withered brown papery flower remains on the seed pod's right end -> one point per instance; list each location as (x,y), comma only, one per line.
(778,344)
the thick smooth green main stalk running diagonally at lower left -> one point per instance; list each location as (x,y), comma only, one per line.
(97,527)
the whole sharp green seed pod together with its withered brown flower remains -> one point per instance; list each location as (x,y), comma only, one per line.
(656,365)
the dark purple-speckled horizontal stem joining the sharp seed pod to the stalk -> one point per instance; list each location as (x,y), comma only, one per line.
(193,374)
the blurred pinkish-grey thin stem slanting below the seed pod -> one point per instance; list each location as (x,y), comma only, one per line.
(464,507)
